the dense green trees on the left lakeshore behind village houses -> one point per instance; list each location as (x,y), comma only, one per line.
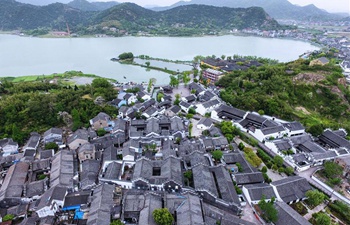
(36,106)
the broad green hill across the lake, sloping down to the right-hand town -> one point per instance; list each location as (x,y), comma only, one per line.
(187,20)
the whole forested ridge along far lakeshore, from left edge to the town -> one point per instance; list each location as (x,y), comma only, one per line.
(183,20)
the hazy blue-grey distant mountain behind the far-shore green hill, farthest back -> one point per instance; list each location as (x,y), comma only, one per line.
(278,9)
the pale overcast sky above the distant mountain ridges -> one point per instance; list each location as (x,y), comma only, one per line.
(329,5)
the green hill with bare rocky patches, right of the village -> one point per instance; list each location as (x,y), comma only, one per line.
(318,96)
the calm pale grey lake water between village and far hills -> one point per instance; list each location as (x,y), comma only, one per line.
(21,56)
